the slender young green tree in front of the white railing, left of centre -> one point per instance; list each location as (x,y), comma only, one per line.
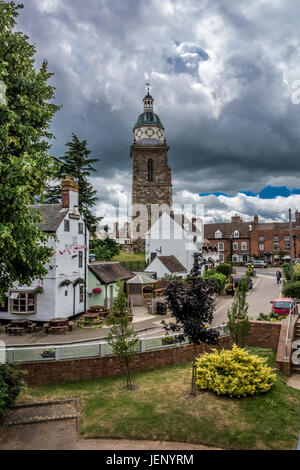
(122,338)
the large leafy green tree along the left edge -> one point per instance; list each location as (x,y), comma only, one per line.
(25,164)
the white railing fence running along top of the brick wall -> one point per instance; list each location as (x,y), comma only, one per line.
(90,349)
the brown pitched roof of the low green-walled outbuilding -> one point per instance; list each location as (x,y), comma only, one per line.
(110,271)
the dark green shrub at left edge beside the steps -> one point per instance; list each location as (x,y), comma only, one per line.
(11,383)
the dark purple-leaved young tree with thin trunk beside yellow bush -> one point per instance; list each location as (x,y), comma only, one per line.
(192,306)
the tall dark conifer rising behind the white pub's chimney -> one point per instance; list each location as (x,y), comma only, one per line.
(76,163)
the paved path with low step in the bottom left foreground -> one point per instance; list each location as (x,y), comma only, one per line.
(56,426)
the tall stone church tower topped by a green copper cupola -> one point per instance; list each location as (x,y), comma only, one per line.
(151,173)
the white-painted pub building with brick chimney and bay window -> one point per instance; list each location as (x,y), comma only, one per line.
(62,292)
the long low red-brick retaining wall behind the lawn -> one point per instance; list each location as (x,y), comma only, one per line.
(262,334)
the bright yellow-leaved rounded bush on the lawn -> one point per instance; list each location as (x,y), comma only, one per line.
(234,372)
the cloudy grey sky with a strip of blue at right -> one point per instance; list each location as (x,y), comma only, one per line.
(225,76)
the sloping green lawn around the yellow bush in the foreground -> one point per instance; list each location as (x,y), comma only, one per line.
(161,408)
